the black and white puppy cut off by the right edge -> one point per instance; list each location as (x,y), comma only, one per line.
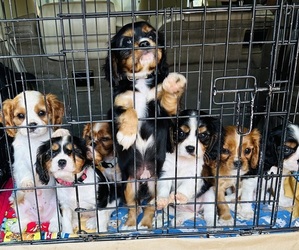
(277,150)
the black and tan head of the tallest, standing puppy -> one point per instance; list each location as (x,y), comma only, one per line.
(136,50)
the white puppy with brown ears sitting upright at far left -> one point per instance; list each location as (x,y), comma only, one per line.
(27,118)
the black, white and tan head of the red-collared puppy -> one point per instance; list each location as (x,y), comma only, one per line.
(61,157)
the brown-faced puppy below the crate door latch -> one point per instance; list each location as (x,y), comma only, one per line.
(239,156)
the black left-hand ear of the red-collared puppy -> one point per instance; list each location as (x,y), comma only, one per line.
(41,164)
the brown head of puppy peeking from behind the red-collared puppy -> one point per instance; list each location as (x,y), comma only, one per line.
(98,138)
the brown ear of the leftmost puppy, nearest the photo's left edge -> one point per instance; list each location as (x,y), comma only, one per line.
(7,119)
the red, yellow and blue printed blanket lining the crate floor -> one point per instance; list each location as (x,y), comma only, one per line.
(284,219)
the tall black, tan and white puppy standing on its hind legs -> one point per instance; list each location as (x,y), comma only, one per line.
(143,94)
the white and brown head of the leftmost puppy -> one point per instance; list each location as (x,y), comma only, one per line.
(32,109)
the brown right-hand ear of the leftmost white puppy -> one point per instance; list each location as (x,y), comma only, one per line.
(55,108)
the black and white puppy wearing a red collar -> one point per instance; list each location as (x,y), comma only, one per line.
(80,186)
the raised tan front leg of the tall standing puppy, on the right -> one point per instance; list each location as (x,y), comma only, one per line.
(173,87)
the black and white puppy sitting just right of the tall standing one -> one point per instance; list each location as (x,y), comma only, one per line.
(181,180)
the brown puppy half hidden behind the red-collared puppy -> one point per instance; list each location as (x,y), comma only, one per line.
(99,141)
